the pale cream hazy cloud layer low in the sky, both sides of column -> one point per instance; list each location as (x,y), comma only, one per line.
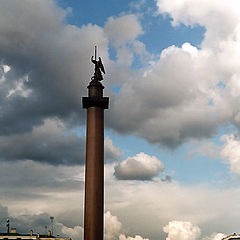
(58,191)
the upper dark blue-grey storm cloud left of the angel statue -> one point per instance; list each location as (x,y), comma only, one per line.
(49,58)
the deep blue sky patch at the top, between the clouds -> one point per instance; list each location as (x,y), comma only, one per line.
(159,31)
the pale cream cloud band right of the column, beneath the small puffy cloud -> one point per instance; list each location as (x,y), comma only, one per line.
(155,203)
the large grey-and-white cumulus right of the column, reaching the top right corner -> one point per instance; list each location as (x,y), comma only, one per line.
(188,92)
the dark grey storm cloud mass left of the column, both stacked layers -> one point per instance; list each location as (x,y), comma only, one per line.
(49,70)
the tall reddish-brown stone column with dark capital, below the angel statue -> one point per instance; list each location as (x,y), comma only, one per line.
(95,104)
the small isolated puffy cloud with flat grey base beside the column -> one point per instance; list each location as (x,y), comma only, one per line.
(139,167)
